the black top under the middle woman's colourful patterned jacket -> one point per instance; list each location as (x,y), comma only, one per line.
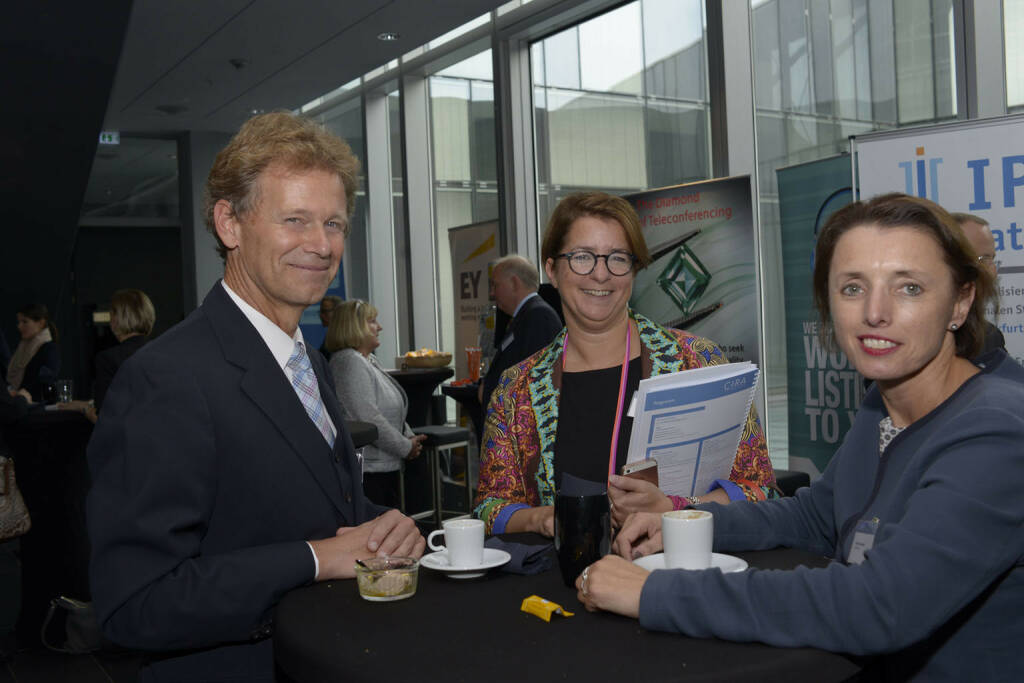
(586,414)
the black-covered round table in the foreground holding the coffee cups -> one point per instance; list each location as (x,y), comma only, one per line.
(474,630)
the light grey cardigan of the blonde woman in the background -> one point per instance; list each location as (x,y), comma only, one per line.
(370,395)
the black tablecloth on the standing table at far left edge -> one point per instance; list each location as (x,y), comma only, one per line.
(54,478)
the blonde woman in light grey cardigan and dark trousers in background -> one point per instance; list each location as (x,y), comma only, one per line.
(368,394)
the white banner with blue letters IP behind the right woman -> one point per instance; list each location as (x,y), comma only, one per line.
(975,167)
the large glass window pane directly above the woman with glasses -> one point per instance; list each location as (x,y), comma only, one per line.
(621,102)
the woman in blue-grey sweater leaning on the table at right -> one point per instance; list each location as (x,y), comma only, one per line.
(921,506)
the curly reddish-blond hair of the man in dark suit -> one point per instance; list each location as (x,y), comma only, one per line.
(280,138)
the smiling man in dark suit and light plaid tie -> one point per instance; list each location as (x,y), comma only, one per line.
(223,473)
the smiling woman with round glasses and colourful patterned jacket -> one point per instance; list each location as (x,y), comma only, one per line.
(557,412)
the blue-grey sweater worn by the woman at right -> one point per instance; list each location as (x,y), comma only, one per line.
(942,593)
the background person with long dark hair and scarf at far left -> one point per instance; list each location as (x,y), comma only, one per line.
(36,362)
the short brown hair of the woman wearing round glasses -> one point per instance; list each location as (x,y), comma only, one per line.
(600,205)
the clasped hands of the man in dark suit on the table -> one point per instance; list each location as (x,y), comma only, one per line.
(392,534)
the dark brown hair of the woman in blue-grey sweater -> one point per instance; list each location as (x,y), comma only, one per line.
(897,210)
